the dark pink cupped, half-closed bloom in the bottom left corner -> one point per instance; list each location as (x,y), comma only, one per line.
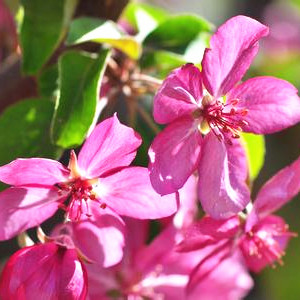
(44,271)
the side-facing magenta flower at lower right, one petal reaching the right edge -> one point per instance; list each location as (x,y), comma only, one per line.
(260,237)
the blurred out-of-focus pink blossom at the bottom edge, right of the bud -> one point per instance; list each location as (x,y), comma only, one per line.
(157,271)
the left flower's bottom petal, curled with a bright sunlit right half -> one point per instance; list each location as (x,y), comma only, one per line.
(100,237)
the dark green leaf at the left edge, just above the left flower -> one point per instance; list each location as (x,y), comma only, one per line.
(25,130)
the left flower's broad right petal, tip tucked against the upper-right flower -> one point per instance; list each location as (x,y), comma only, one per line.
(130,193)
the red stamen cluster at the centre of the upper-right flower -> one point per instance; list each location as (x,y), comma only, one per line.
(225,120)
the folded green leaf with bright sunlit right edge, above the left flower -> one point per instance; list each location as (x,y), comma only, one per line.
(80,76)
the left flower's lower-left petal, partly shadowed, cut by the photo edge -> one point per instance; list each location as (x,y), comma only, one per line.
(25,207)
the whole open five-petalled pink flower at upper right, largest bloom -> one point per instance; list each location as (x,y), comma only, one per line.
(206,111)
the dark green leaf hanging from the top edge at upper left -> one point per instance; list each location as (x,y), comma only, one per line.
(42,28)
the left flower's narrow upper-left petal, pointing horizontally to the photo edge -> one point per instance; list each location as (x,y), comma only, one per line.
(33,171)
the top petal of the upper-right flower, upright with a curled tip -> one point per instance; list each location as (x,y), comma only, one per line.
(232,49)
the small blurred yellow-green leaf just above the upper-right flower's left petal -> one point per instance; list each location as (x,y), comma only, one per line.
(162,62)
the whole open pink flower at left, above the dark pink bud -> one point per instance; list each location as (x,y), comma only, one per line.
(93,191)
